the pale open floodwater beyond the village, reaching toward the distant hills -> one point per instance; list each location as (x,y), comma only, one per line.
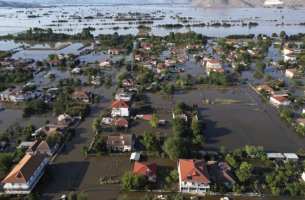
(64,18)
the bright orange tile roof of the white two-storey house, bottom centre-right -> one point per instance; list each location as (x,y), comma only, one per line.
(193,171)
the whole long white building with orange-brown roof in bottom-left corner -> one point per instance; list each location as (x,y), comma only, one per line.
(26,174)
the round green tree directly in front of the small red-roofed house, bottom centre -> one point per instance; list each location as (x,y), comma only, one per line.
(132,181)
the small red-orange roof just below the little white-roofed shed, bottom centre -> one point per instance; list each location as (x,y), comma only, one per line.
(145,169)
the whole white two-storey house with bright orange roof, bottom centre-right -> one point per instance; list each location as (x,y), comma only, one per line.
(193,176)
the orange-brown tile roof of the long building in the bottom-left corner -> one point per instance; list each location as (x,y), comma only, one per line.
(24,170)
